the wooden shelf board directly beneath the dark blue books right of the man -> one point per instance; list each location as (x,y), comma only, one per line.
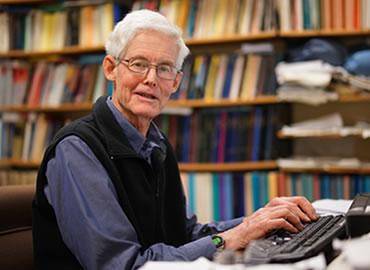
(228,167)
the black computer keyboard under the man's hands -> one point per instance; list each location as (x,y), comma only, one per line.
(282,246)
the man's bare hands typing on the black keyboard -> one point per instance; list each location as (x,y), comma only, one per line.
(286,213)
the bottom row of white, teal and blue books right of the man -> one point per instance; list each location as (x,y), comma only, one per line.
(221,196)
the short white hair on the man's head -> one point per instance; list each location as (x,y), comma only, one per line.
(138,21)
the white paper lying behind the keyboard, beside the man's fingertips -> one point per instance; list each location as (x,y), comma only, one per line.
(331,207)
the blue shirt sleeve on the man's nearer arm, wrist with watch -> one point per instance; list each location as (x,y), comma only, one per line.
(92,223)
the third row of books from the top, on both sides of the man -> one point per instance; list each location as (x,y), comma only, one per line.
(210,135)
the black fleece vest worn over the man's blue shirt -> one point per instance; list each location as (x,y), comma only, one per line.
(152,198)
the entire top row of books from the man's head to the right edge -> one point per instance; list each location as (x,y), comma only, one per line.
(220,18)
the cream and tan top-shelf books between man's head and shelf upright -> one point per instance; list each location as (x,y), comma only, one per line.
(215,18)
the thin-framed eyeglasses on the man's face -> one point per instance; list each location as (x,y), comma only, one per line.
(142,66)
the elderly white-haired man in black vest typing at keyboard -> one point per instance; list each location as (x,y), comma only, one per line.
(109,194)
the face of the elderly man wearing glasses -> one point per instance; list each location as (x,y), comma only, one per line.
(143,96)
